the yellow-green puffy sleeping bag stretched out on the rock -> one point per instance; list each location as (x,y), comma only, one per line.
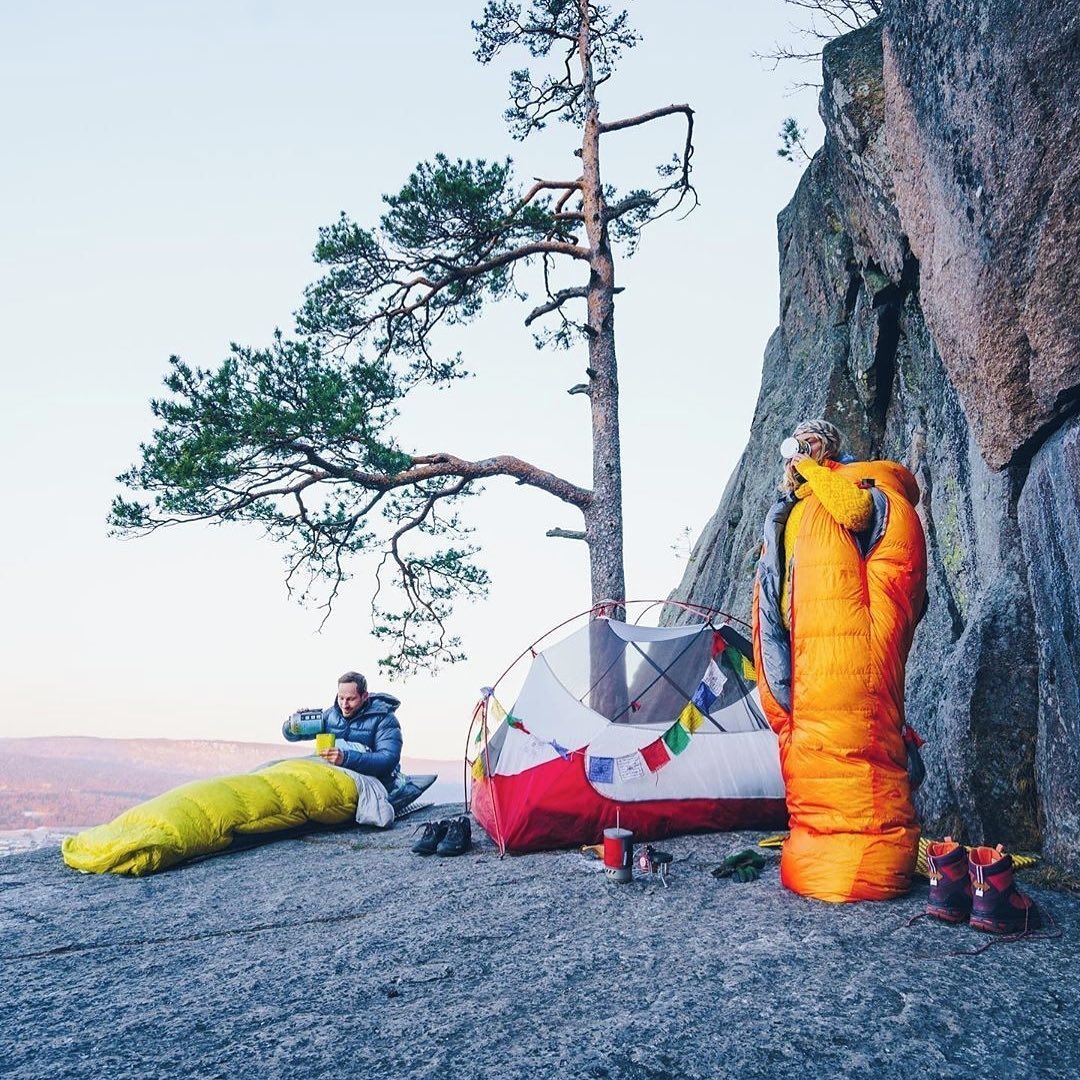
(201,818)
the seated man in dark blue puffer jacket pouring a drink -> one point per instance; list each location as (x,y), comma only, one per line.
(368,736)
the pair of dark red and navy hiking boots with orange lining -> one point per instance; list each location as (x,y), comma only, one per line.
(978,887)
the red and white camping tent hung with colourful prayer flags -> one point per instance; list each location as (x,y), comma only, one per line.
(656,730)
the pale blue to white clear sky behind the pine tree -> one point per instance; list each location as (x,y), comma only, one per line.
(166,169)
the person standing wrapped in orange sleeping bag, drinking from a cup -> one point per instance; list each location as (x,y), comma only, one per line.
(842,584)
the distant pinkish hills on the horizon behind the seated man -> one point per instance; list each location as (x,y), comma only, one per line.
(73,782)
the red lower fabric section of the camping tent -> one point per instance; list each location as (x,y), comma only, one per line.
(555,806)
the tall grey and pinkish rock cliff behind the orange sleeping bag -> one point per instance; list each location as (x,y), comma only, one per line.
(929,269)
